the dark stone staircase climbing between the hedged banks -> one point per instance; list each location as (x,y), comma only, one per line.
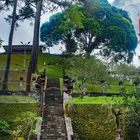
(53,125)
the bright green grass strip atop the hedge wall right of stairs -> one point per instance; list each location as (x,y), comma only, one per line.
(96,100)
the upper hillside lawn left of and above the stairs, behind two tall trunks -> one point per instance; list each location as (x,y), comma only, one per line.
(53,65)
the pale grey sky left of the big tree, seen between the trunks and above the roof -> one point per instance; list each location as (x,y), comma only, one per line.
(23,33)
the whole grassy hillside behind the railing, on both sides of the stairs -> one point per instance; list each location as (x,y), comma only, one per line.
(54,70)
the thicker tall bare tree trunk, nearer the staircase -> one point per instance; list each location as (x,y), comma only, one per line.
(34,56)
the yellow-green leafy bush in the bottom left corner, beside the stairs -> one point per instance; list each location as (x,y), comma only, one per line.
(21,126)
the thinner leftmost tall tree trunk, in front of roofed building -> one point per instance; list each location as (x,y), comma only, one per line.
(10,41)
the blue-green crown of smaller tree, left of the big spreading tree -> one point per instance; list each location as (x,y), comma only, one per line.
(58,29)
